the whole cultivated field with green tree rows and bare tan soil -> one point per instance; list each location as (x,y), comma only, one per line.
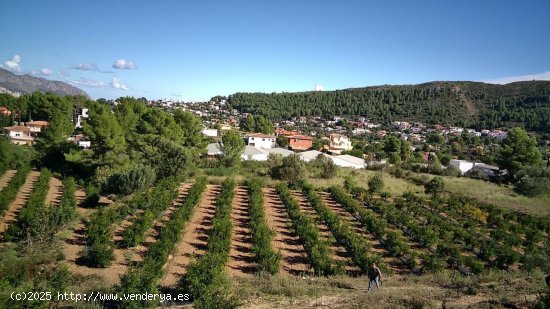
(180,234)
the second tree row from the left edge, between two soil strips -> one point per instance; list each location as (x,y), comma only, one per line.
(31,216)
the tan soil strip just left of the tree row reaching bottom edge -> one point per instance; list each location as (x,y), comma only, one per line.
(195,237)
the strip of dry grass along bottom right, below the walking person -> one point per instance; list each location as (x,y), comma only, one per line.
(495,290)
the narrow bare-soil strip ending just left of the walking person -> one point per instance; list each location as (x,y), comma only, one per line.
(339,253)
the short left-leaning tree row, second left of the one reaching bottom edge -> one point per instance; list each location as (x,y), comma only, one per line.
(156,202)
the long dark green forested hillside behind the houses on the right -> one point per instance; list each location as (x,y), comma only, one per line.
(454,103)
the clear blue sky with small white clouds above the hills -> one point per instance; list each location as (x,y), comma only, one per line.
(193,50)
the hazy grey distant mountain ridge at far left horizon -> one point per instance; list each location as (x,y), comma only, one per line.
(29,84)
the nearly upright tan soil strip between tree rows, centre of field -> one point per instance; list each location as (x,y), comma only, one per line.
(241,257)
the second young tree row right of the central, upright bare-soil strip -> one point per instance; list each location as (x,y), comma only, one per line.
(317,249)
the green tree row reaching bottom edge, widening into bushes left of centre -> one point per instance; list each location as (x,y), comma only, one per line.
(205,278)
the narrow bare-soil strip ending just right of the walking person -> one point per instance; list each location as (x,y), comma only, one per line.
(375,246)
